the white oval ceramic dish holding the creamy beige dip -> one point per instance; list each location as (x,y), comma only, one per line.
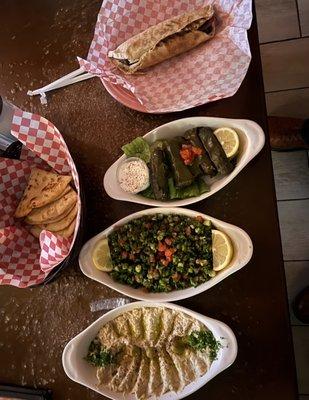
(81,372)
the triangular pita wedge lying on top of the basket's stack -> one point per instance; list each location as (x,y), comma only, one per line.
(43,187)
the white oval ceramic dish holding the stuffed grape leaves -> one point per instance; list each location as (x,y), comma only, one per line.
(251,137)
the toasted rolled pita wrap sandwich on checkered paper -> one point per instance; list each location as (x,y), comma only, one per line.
(165,40)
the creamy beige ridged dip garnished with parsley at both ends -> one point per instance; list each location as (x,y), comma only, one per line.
(150,351)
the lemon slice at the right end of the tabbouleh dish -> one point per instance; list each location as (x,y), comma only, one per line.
(222,250)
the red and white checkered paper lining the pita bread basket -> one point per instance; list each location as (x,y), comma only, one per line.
(25,260)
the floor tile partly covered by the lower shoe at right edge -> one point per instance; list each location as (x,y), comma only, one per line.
(297,278)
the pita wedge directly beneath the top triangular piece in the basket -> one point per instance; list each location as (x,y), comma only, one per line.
(52,210)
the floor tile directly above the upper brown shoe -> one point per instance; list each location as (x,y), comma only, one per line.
(288,103)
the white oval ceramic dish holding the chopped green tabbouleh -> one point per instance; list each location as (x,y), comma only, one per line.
(242,244)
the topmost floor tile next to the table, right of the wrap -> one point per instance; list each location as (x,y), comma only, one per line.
(277,20)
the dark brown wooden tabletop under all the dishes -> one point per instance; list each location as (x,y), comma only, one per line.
(39,42)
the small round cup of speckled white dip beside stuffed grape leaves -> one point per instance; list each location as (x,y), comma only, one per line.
(133,175)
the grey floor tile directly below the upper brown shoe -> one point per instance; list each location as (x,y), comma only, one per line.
(291,173)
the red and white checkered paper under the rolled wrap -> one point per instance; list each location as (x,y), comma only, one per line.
(209,72)
